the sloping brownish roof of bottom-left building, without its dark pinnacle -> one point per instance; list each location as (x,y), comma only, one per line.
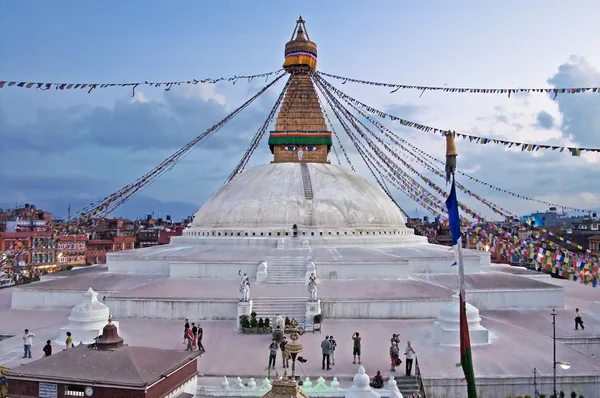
(126,366)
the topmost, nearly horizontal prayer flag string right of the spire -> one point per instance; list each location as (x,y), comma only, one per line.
(509,91)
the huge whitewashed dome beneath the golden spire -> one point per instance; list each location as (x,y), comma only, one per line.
(323,199)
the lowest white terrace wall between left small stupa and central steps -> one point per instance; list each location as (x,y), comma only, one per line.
(172,309)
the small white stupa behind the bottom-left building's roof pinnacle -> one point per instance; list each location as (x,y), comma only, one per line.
(86,321)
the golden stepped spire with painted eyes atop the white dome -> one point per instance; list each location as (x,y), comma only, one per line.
(300,133)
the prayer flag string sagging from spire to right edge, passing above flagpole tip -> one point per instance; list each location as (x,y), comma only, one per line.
(574,151)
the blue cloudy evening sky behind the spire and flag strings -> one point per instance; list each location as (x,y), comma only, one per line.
(61,148)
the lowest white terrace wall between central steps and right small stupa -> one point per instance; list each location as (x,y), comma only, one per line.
(385,309)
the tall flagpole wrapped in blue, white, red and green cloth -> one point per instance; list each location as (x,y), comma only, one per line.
(466,359)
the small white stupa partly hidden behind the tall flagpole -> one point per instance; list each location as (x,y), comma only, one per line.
(447,328)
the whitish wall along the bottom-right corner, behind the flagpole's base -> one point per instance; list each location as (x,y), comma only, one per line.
(500,387)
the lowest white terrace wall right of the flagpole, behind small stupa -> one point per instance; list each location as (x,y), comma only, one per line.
(526,298)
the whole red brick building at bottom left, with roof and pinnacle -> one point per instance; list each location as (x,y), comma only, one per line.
(107,369)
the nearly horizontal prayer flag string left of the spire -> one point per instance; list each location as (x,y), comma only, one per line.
(91,86)
